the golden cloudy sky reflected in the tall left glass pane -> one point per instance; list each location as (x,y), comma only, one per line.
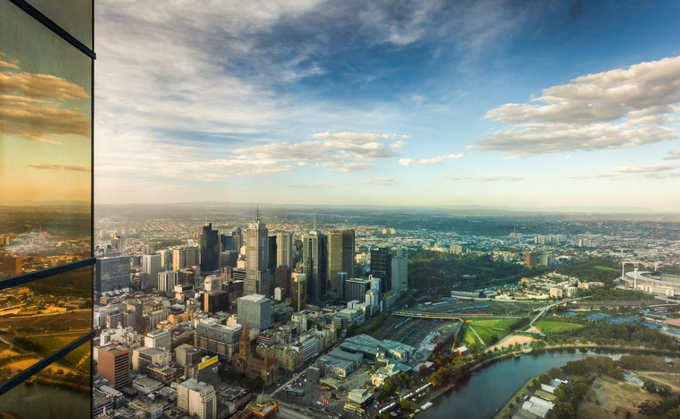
(45,114)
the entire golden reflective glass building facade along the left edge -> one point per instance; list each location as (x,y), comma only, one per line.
(46,202)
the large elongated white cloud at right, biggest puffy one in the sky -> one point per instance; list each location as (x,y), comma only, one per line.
(613,109)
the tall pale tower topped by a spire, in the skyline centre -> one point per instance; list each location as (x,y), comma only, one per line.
(257,260)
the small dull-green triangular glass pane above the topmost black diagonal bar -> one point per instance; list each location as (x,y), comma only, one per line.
(74,16)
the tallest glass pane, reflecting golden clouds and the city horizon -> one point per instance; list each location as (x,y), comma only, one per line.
(45,147)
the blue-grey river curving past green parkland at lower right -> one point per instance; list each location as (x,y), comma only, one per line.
(484,392)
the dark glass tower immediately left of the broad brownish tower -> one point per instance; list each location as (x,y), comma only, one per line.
(315,261)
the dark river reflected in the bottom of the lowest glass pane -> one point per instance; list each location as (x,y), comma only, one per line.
(42,401)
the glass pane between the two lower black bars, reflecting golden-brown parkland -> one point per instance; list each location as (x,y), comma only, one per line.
(41,317)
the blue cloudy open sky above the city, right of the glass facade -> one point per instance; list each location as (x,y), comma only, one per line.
(426,103)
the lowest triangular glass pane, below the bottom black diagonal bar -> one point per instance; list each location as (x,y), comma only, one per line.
(61,391)
